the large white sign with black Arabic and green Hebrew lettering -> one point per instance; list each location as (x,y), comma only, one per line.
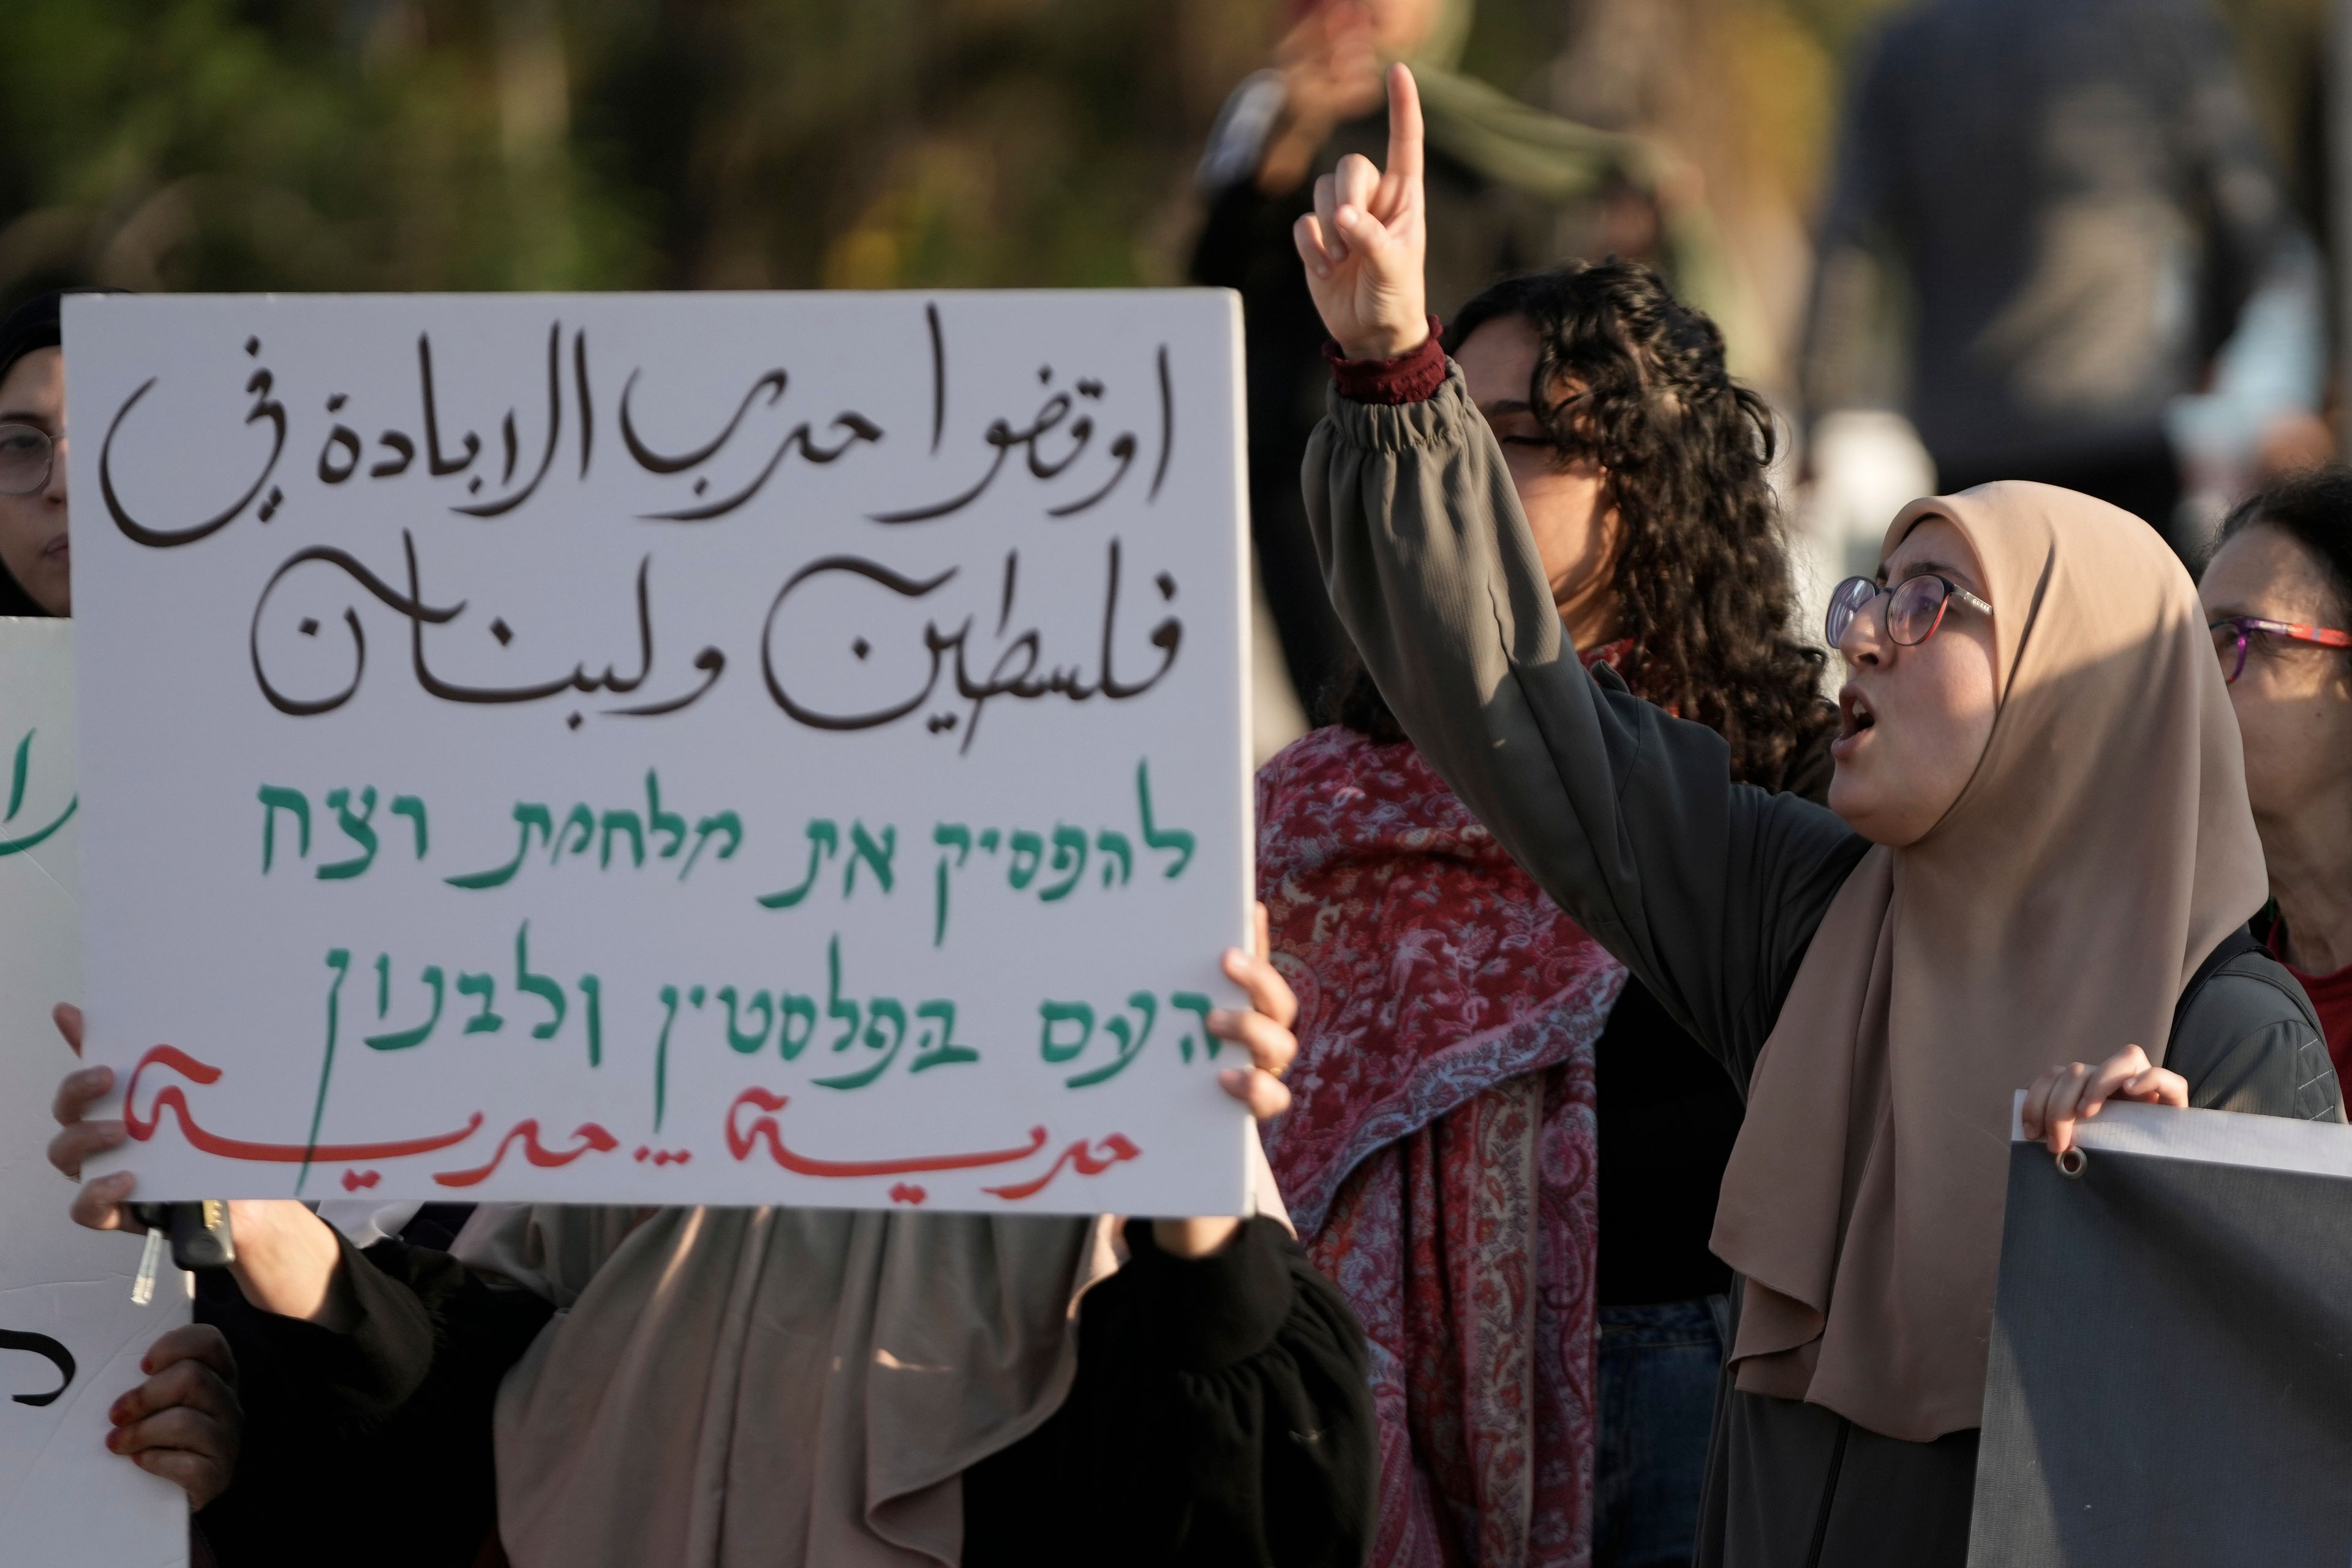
(768,749)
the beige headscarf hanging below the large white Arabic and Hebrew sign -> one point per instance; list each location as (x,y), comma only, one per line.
(735,1388)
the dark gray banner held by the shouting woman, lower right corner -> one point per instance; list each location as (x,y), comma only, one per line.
(2172,1351)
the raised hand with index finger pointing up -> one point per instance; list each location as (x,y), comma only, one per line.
(1365,243)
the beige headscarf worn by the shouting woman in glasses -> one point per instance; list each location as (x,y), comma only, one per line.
(2097,857)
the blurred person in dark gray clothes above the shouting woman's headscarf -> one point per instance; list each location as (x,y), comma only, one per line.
(2073,206)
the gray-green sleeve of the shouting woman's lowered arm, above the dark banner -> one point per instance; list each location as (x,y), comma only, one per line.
(2252,1045)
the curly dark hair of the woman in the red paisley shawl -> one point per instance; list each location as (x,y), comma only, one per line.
(1702,575)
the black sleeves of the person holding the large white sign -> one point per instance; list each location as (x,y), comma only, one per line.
(1222,1414)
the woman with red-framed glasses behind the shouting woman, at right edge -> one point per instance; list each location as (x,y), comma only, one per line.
(2280,598)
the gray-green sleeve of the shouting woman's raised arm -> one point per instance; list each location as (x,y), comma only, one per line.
(1624,815)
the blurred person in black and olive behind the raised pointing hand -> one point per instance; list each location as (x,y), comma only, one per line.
(1516,189)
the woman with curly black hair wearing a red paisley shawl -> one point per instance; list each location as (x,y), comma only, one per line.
(1535,1278)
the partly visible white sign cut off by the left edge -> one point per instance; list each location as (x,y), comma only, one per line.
(69,1332)
